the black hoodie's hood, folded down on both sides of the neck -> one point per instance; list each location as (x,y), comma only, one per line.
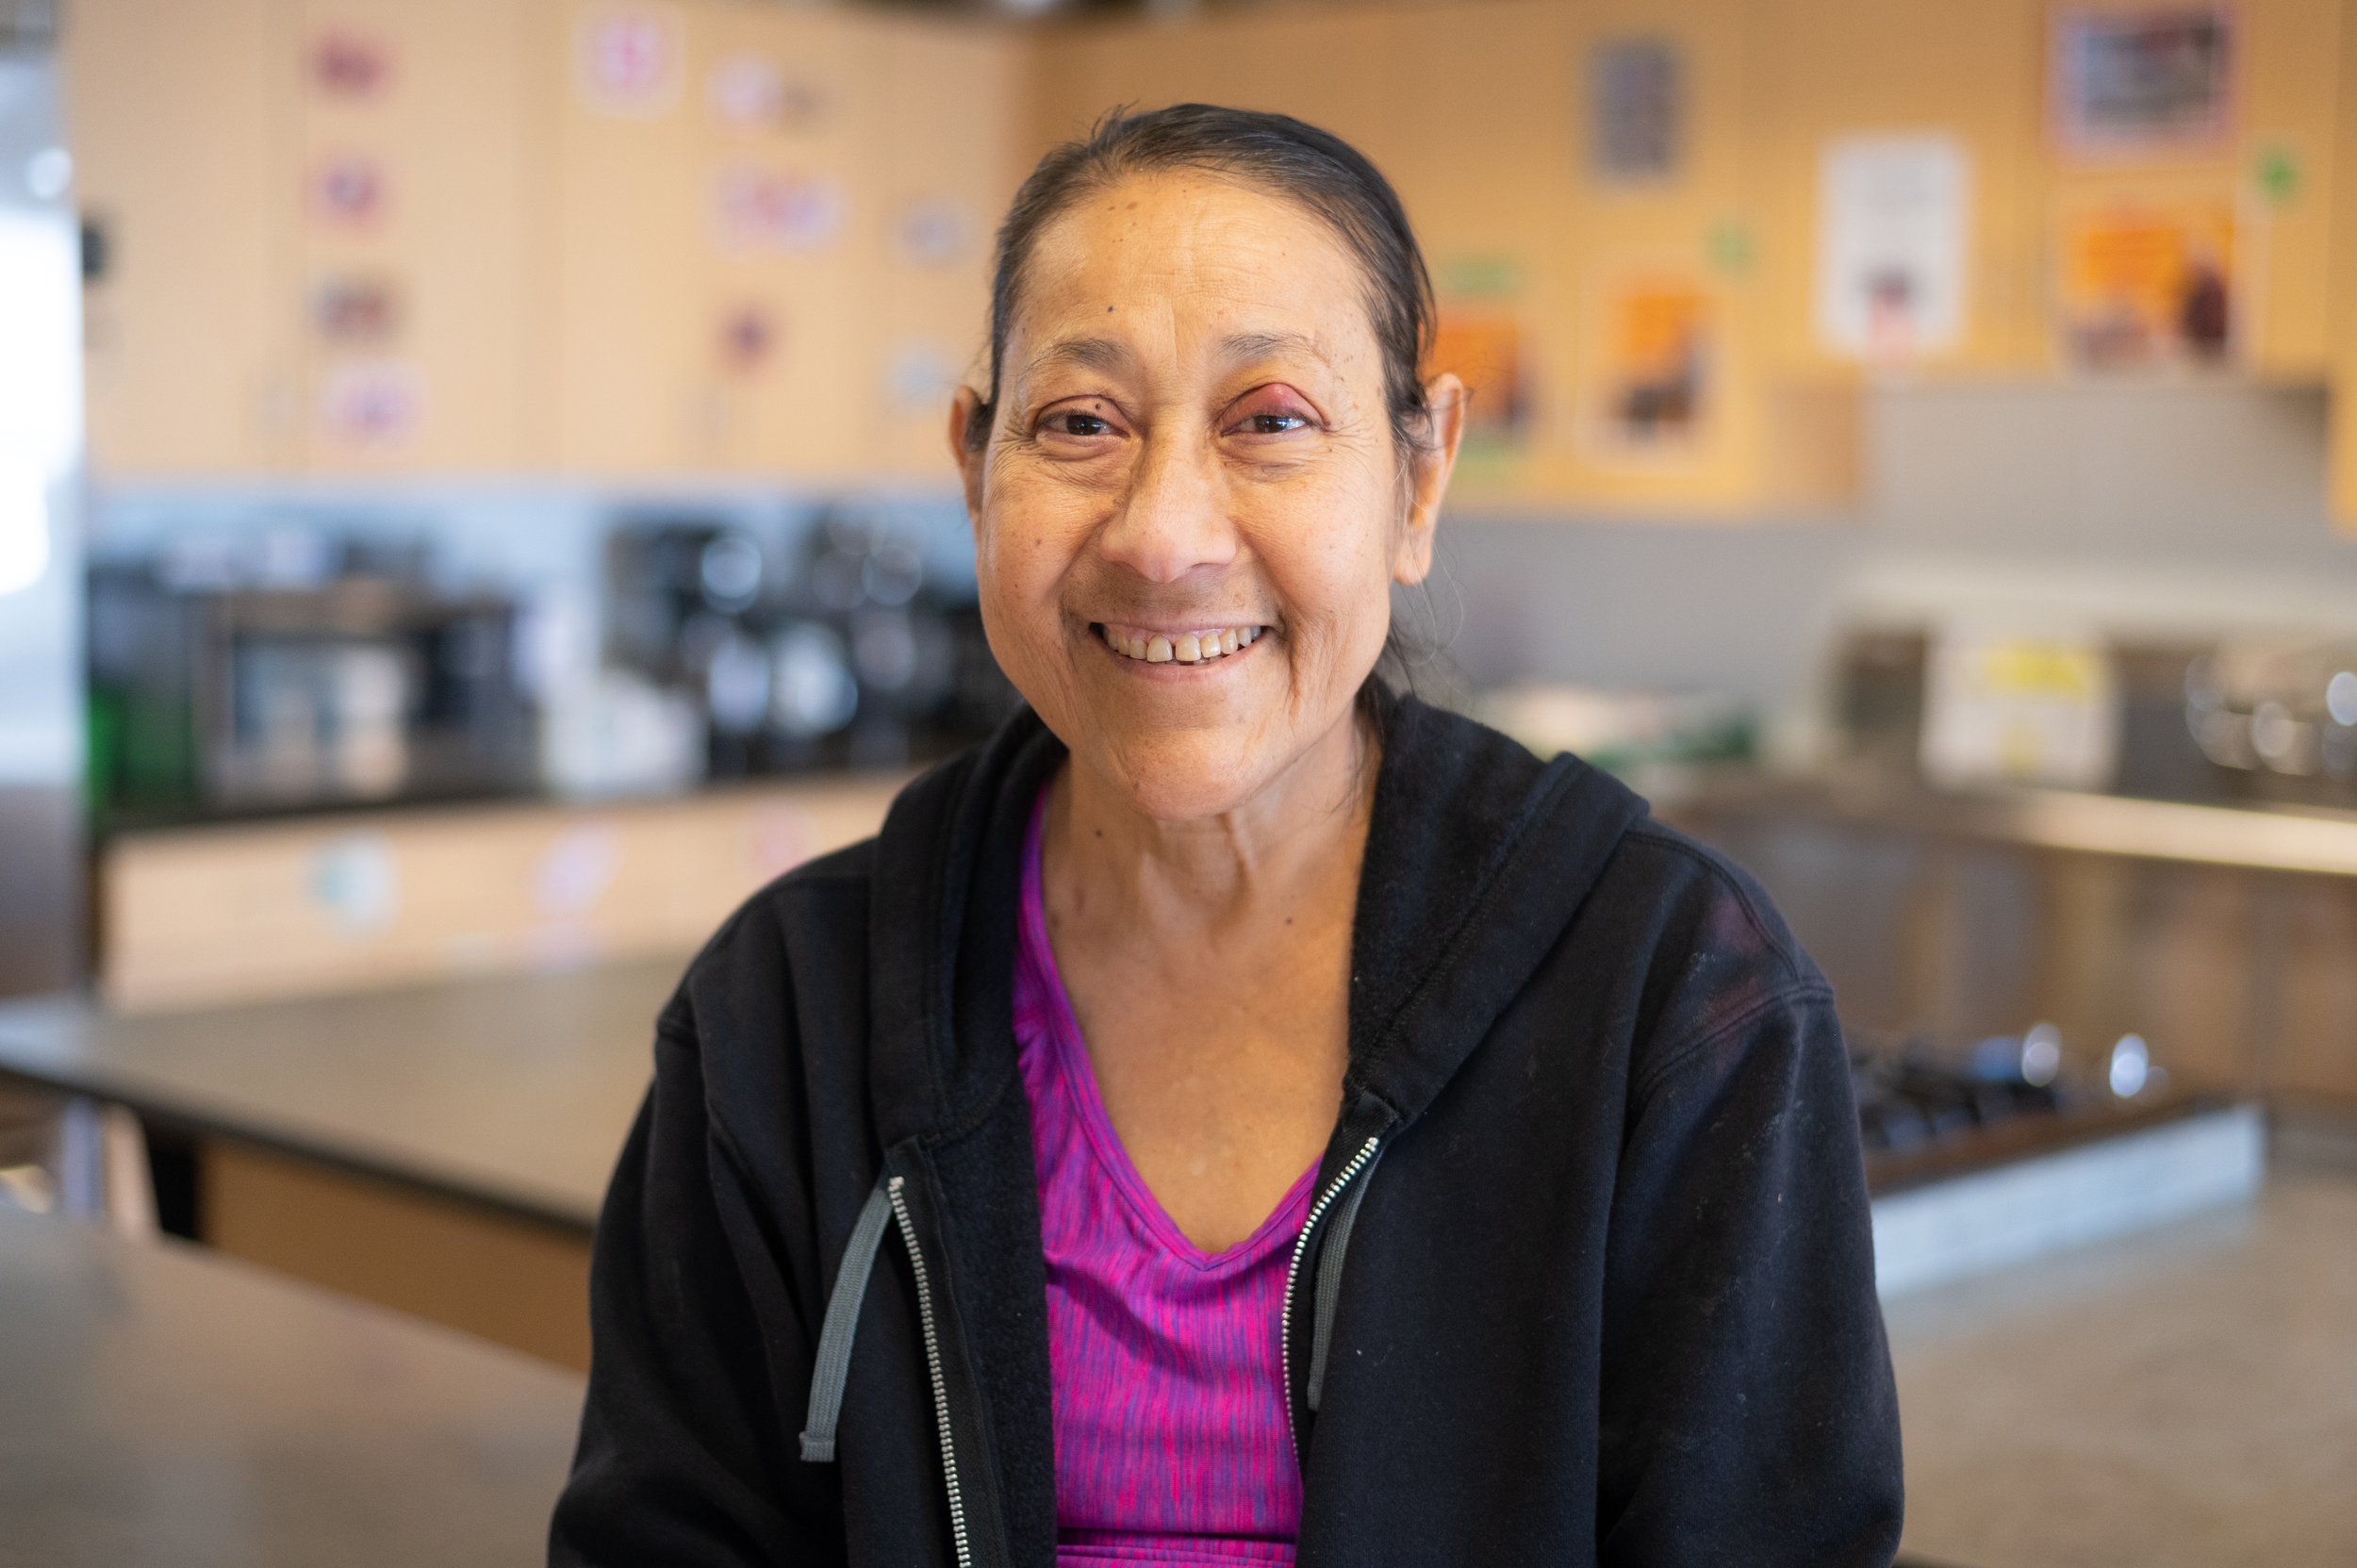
(1477,859)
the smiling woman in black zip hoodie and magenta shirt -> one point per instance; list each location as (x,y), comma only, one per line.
(1312,1126)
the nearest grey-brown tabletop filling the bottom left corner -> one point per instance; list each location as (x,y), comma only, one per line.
(164,1406)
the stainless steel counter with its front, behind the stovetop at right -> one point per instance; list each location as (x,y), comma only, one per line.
(2219,935)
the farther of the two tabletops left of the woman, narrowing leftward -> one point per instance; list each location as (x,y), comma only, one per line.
(510,1091)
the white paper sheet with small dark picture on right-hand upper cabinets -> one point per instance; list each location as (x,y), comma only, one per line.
(1894,220)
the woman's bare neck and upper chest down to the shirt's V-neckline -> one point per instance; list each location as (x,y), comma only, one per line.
(1210,970)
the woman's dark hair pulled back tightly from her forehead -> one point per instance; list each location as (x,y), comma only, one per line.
(1276,154)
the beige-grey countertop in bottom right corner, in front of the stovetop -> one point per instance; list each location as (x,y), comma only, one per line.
(2177,1399)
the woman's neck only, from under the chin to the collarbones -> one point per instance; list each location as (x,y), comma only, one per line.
(1293,848)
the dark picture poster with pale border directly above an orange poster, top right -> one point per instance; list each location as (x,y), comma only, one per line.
(2144,84)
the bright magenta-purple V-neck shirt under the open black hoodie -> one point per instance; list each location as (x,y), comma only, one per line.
(1173,1439)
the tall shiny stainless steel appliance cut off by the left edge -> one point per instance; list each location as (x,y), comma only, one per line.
(41,569)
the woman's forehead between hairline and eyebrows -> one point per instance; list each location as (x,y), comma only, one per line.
(1184,268)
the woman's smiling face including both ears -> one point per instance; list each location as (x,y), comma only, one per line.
(1191,508)
